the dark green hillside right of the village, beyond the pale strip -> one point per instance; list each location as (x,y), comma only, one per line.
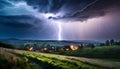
(101,51)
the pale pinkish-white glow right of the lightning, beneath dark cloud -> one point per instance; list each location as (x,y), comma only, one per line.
(78,30)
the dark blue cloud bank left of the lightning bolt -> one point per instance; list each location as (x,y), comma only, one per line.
(24,27)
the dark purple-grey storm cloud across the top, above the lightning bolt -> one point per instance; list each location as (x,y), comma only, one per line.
(76,9)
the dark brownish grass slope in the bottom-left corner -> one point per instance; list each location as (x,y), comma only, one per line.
(9,60)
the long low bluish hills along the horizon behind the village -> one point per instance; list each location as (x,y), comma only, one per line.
(18,42)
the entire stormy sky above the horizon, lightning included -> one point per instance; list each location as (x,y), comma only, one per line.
(60,19)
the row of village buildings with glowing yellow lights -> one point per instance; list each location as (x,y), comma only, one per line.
(49,48)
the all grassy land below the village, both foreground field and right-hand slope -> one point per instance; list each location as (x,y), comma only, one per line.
(102,57)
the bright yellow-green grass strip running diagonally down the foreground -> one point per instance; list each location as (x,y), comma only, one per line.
(61,63)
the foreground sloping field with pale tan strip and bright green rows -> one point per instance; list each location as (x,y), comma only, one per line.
(31,60)
